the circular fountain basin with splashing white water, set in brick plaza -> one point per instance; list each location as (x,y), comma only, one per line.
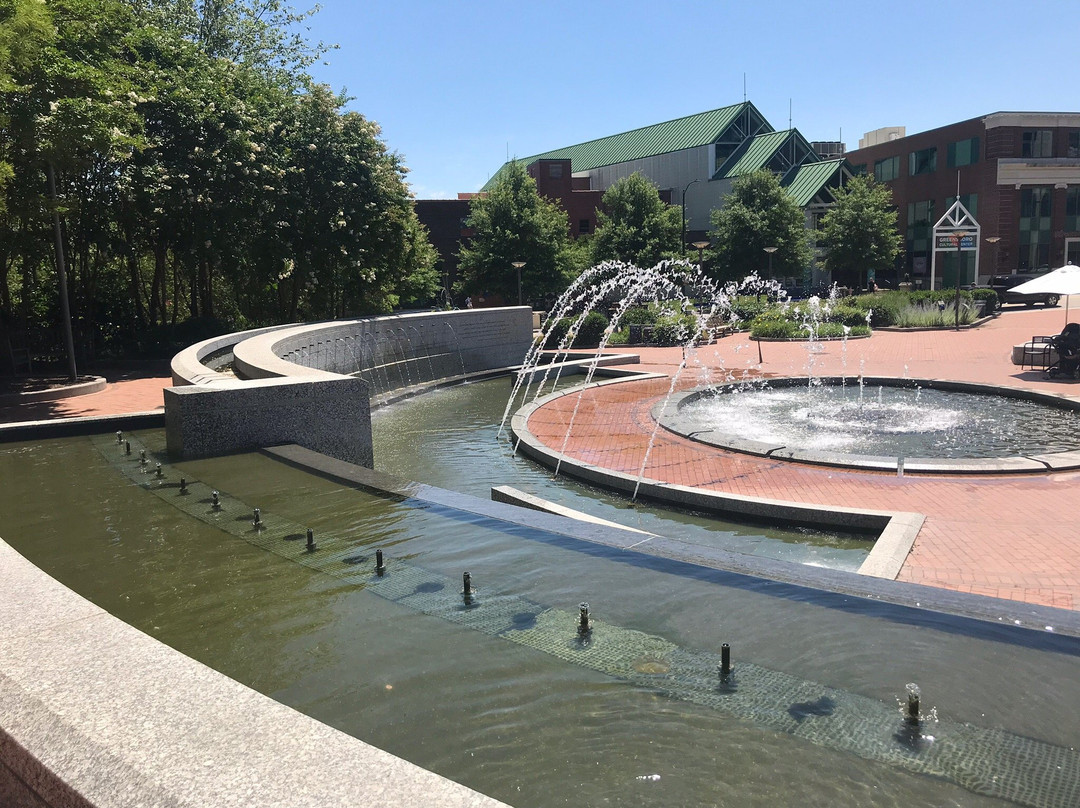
(884,424)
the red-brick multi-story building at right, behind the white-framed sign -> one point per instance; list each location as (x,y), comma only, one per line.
(1017,173)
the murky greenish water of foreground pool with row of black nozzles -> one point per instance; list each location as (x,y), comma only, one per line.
(530,719)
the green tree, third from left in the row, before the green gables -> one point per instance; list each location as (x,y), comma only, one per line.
(759,214)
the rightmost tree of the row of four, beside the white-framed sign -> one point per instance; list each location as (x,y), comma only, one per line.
(860,233)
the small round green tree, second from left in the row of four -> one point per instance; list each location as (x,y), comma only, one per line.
(636,226)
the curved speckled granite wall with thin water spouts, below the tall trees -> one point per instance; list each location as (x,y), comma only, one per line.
(313,385)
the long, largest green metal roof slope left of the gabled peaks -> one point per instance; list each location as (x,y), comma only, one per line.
(659,139)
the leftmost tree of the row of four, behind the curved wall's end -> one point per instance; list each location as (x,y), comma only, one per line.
(514,223)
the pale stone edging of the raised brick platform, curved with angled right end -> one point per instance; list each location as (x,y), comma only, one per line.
(896,531)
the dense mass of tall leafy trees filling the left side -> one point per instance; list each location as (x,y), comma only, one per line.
(201,176)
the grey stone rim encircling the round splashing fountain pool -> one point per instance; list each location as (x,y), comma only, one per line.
(667,414)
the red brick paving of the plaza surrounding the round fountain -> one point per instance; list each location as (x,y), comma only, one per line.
(1014,536)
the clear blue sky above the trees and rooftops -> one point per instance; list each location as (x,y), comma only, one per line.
(457,86)
